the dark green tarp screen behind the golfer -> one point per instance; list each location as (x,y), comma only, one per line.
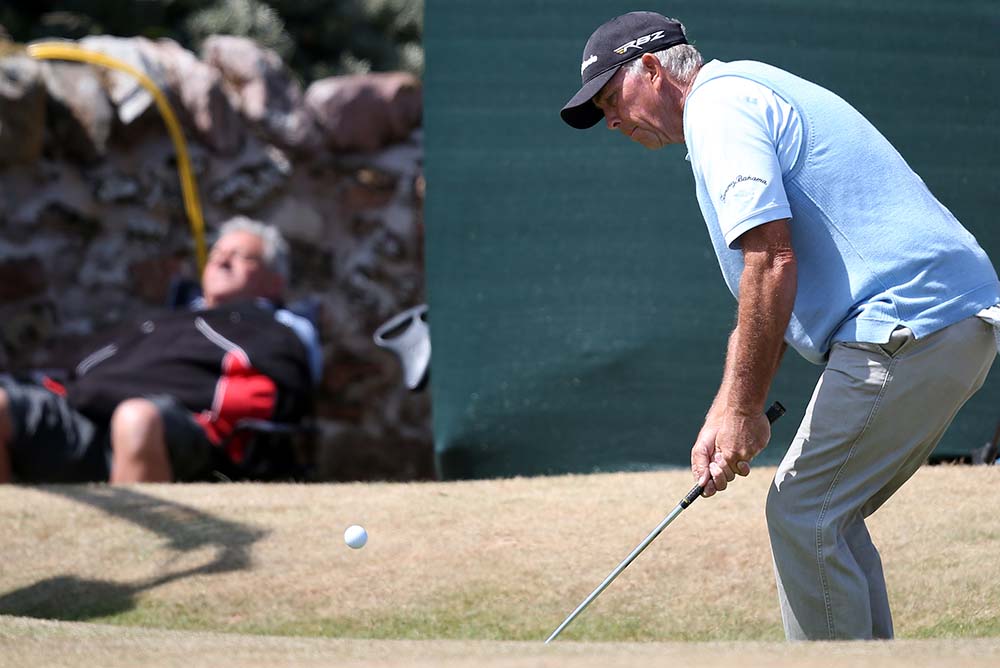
(578,315)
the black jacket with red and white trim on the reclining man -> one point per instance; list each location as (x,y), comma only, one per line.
(204,359)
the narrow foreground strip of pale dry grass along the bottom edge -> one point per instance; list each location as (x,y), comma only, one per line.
(29,642)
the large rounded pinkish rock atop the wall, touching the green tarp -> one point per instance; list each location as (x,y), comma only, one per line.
(365,112)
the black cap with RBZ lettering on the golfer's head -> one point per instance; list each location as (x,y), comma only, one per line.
(619,41)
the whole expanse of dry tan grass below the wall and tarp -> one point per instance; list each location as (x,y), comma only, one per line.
(479,564)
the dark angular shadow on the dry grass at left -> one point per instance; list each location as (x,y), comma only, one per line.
(68,598)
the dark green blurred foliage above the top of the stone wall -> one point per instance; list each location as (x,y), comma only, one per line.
(315,38)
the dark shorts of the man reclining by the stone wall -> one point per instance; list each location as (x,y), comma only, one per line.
(53,443)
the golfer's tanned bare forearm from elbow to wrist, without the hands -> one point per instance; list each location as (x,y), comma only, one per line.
(767,295)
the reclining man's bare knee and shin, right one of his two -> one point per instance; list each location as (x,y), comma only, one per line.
(138,444)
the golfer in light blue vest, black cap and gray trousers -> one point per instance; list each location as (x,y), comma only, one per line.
(833,246)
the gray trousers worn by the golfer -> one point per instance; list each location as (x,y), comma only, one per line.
(876,414)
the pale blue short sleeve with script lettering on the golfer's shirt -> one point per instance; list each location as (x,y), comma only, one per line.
(731,138)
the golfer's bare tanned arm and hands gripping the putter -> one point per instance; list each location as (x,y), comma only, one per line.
(735,428)
